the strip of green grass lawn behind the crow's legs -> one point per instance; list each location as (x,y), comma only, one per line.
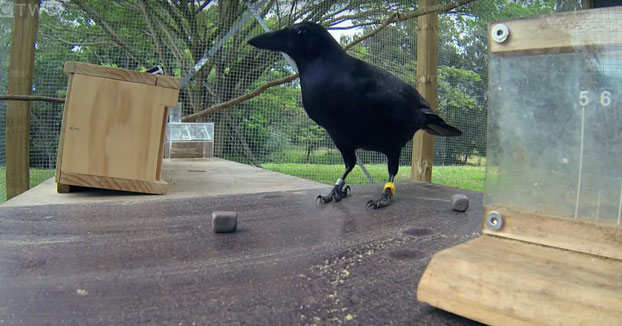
(464,177)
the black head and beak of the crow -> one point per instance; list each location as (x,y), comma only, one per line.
(302,42)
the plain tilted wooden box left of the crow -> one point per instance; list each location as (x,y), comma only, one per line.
(113,129)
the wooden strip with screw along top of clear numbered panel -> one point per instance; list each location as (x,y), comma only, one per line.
(574,31)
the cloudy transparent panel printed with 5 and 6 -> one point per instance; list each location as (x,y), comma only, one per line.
(555,134)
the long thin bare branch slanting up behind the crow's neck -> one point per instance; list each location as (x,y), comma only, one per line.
(393,18)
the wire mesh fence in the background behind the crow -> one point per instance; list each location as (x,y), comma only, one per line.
(271,130)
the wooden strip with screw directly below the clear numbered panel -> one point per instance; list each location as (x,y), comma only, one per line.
(572,234)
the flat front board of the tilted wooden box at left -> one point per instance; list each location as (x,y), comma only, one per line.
(114,128)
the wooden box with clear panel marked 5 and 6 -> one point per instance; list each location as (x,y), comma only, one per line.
(551,249)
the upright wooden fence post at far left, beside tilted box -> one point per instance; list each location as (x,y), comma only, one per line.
(26,19)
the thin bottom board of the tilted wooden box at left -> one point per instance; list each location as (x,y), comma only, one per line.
(156,187)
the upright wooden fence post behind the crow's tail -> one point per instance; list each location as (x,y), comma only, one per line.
(427,61)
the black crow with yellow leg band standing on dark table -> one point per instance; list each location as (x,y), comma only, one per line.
(359,105)
